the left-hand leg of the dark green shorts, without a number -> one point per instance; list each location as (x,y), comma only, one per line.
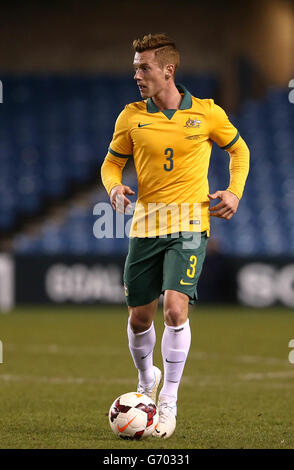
(143,271)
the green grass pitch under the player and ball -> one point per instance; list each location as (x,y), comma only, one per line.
(63,367)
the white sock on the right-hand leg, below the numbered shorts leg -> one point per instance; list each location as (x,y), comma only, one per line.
(175,346)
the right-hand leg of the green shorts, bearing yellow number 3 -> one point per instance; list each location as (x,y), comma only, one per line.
(183,264)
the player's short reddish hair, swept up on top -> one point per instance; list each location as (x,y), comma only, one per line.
(165,49)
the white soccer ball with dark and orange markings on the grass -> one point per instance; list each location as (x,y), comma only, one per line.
(133,416)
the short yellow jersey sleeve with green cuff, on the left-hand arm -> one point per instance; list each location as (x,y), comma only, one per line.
(121,144)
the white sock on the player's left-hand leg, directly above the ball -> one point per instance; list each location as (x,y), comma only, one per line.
(141,346)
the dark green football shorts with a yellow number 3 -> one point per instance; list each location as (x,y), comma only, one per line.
(154,265)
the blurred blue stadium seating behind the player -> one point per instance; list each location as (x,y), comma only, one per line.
(54,134)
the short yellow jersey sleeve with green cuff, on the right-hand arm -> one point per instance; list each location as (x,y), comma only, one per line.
(222,131)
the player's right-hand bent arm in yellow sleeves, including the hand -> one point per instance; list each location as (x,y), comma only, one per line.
(227,137)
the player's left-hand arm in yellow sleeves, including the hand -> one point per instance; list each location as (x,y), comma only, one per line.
(120,149)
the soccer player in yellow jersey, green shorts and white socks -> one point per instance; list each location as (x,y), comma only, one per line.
(169,134)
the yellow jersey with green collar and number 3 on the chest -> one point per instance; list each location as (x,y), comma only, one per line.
(171,151)
